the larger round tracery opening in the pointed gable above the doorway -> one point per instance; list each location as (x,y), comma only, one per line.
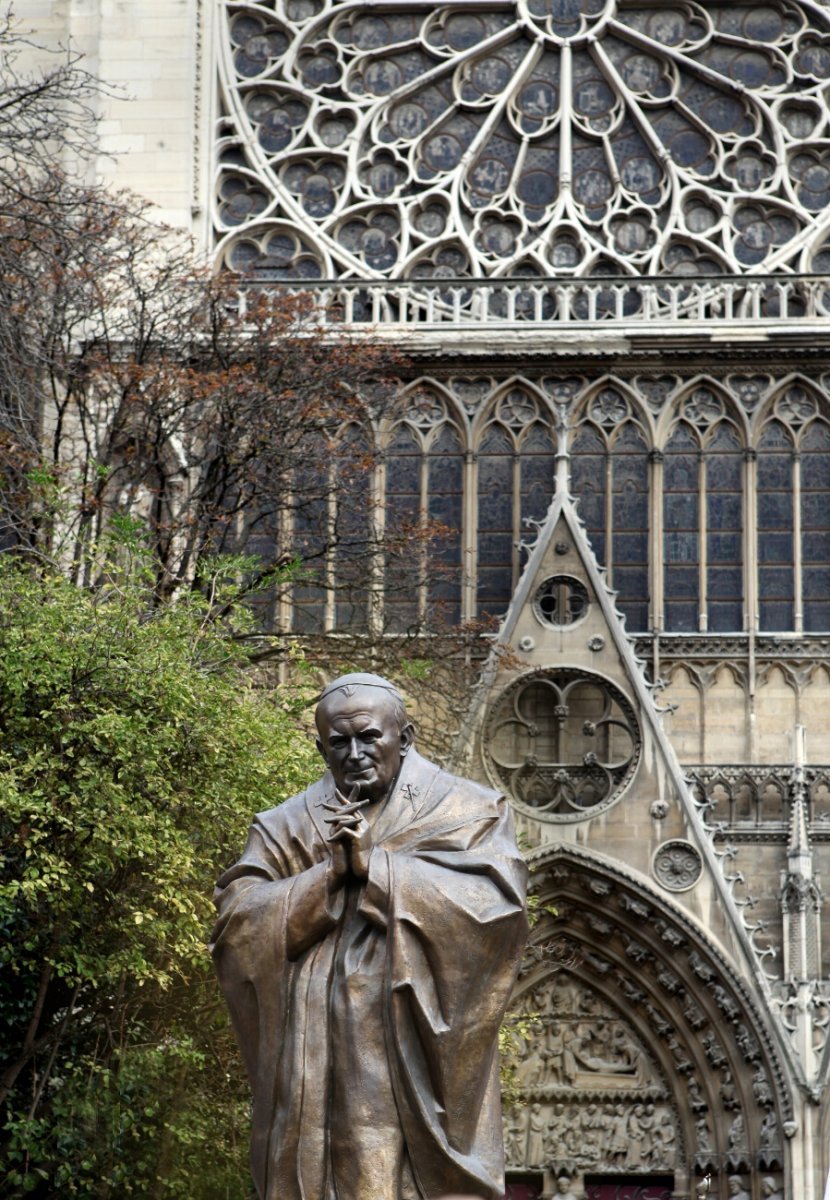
(563,743)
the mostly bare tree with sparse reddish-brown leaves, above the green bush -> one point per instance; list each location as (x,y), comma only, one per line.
(131,383)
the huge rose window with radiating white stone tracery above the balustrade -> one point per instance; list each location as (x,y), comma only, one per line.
(531,137)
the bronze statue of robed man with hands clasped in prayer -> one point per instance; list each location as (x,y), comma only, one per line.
(368,944)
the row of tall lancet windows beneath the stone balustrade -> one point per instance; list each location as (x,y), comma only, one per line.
(708,507)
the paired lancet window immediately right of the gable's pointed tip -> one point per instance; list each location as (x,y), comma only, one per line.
(610,473)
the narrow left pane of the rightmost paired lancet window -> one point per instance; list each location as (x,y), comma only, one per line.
(777,575)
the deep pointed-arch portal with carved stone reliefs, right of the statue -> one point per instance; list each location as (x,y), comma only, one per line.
(647,1065)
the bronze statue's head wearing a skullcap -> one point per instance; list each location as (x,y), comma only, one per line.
(364,734)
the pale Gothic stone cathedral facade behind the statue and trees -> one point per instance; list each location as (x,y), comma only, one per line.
(665,743)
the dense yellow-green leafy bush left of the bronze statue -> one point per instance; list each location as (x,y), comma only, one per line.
(133,753)
